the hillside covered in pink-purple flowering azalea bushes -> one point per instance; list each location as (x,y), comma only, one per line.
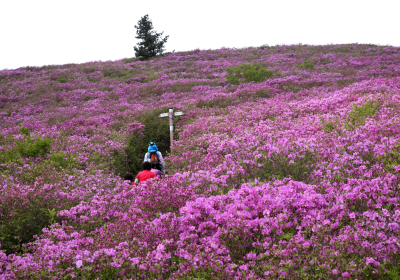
(292,175)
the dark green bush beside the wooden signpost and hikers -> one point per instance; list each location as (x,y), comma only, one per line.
(156,130)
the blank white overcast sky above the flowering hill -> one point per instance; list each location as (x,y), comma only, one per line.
(43,32)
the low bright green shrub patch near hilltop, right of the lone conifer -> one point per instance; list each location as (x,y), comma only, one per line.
(247,72)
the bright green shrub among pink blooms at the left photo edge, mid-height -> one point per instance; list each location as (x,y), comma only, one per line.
(29,147)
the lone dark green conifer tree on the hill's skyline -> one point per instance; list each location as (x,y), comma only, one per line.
(151,42)
